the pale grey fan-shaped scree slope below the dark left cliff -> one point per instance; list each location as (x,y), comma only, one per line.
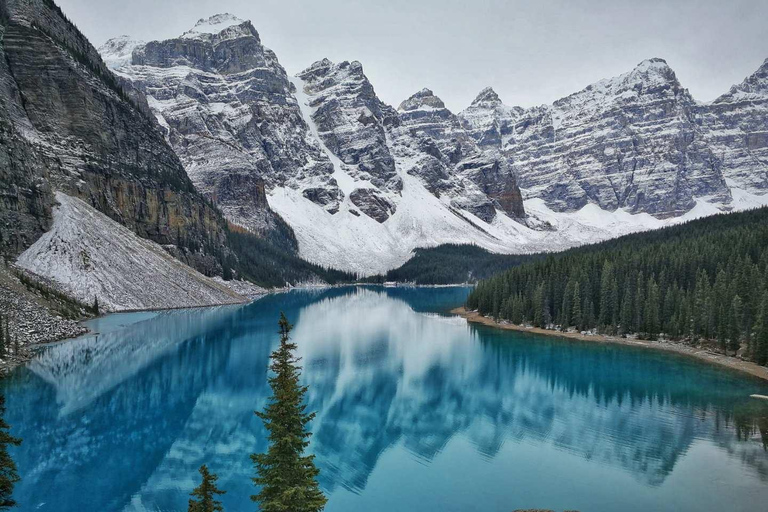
(90,255)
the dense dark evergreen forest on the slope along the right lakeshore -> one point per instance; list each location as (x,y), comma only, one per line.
(706,280)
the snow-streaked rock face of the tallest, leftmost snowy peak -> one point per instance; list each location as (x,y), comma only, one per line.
(229,112)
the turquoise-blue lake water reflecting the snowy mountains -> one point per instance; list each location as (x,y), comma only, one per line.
(416,411)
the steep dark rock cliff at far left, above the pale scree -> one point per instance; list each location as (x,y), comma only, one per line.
(68,124)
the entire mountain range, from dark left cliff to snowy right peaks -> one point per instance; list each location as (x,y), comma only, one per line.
(185,140)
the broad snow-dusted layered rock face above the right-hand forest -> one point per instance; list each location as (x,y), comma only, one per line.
(630,142)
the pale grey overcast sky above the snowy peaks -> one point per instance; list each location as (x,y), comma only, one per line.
(530,52)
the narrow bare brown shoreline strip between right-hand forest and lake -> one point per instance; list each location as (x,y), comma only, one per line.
(699,353)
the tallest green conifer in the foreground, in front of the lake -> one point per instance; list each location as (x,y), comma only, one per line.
(286,476)
